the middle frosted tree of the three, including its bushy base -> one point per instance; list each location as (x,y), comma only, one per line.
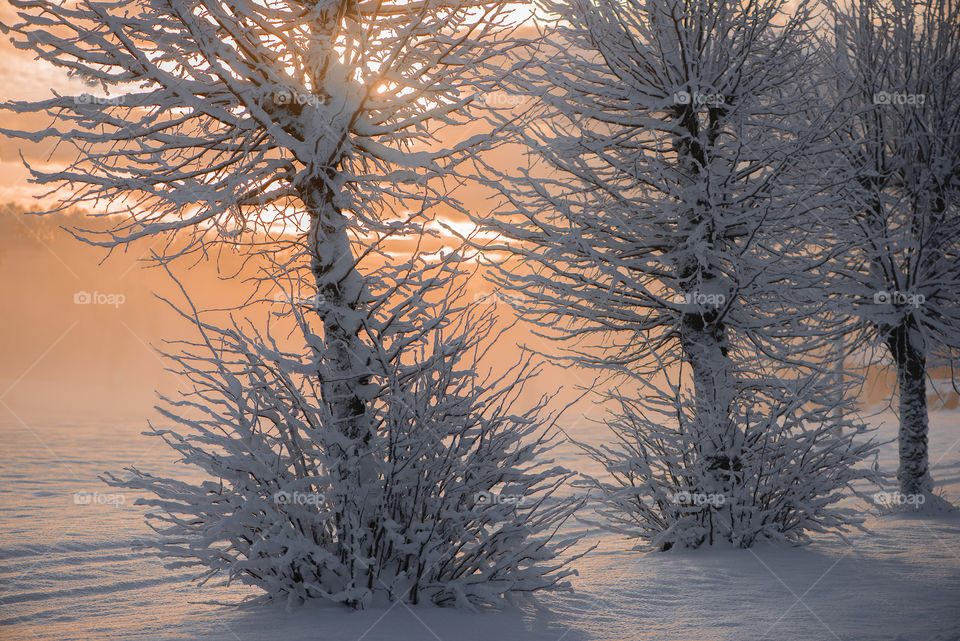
(673,214)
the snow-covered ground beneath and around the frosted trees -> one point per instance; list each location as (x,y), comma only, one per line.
(67,571)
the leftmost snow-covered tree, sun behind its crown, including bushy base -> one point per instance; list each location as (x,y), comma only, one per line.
(311,125)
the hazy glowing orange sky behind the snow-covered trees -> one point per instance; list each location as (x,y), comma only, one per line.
(88,352)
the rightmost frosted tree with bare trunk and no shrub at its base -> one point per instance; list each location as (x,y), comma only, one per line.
(897,70)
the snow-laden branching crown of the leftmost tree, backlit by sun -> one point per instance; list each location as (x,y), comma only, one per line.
(227,115)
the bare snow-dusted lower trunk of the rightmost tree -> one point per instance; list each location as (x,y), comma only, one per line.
(914,470)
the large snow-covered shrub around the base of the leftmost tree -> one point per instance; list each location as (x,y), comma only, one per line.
(447,499)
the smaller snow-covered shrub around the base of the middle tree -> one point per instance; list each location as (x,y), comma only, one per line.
(779,477)
